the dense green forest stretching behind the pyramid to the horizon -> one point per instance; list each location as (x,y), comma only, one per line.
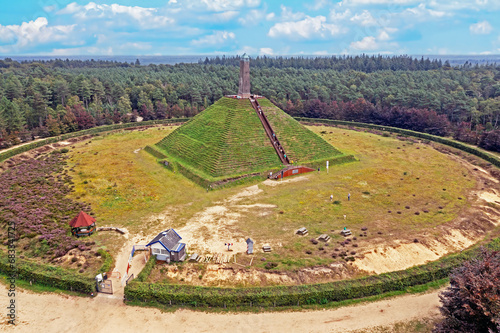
(47,98)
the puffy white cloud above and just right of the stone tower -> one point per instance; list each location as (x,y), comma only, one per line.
(308,28)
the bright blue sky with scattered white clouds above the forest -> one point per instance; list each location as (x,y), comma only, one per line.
(257,27)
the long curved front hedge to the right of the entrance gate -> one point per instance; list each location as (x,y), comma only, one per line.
(168,294)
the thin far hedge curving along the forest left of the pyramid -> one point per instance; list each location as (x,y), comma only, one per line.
(95,130)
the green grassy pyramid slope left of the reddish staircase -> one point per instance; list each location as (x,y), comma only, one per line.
(226,139)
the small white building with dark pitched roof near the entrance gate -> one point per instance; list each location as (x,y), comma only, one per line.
(166,246)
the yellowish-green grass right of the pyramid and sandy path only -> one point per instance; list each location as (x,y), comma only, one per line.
(380,171)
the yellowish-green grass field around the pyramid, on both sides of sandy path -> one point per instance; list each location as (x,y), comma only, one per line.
(128,187)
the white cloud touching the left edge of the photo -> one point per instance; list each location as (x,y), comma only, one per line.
(34,32)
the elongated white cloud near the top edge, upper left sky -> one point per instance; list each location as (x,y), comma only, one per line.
(146,18)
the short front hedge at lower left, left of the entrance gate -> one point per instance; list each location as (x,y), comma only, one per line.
(48,275)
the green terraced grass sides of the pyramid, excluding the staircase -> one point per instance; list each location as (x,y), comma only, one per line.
(227,140)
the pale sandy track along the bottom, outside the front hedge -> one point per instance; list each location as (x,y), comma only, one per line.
(55,313)
